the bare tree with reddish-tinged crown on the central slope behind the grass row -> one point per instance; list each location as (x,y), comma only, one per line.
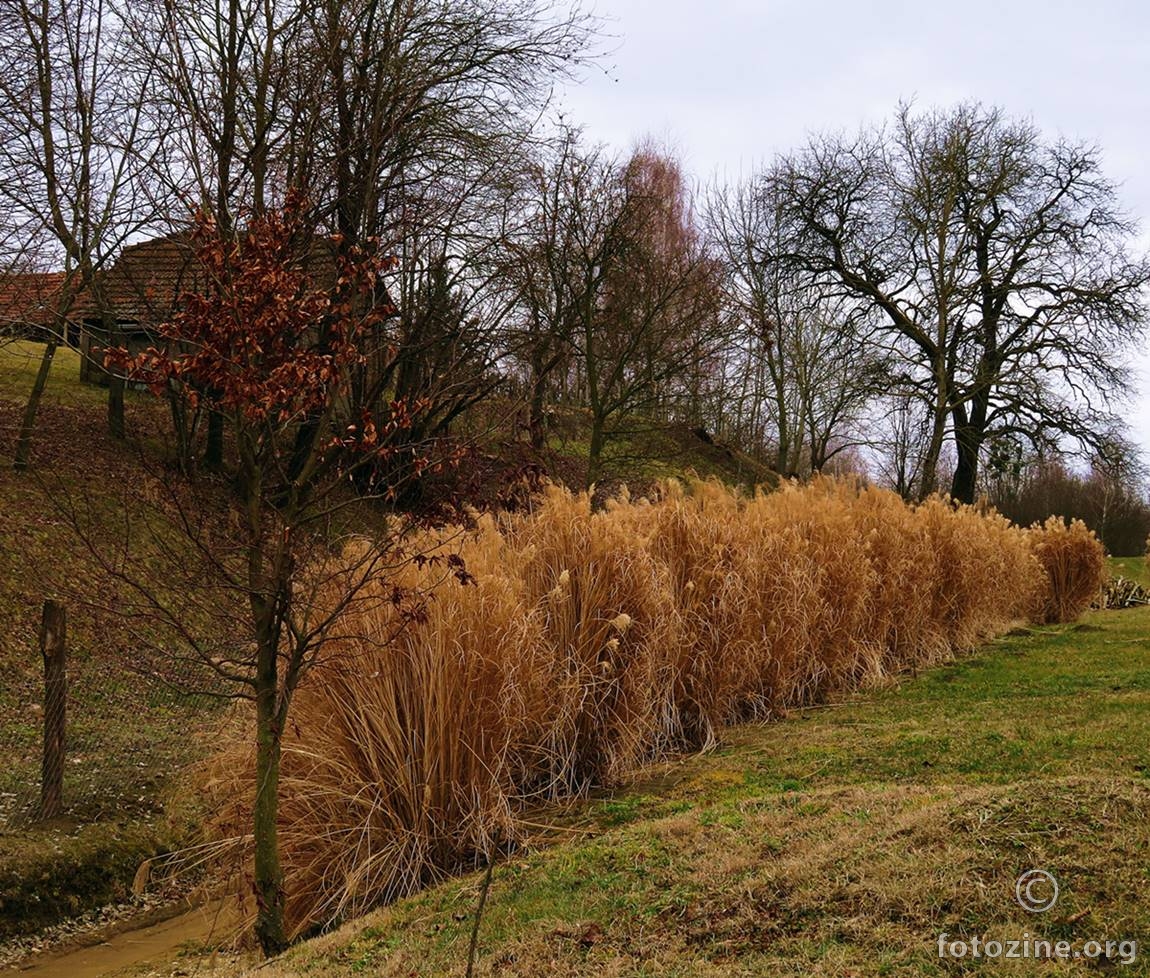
(619,278)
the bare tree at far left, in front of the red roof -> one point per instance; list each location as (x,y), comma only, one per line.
(75,144)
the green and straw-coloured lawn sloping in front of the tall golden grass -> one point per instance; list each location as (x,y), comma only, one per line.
(841,842)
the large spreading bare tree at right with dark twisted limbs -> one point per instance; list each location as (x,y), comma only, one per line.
(999,264)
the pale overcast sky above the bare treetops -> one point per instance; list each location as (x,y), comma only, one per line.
(730,83)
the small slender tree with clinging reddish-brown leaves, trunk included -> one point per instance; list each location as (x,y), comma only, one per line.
(271,347)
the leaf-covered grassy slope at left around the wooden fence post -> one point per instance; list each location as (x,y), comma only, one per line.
(124,738)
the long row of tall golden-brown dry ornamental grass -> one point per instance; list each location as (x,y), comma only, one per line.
(595,641)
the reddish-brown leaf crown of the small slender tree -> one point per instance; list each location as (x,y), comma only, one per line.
(272,339)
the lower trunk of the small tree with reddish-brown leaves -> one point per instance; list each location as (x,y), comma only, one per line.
(269,873)
